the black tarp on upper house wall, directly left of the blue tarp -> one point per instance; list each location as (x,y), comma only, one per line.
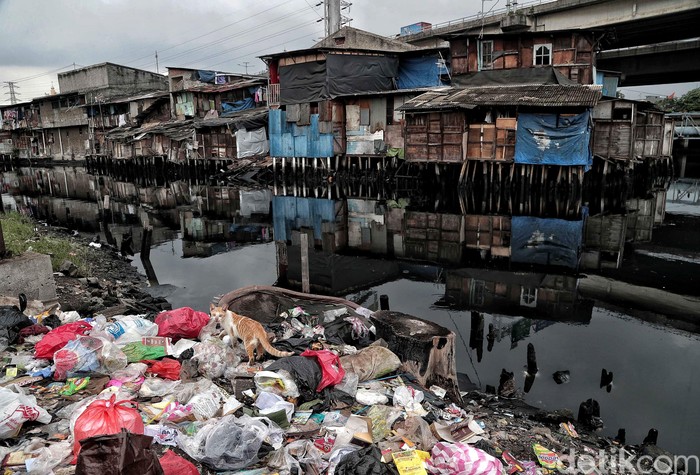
(353,74)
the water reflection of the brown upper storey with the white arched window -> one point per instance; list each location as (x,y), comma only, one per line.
(515,293)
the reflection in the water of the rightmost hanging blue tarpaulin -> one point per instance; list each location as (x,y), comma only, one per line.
(543,241)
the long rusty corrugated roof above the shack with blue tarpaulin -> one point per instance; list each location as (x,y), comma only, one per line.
(533,95)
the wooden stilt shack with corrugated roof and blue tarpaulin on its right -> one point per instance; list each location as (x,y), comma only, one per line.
(534,131)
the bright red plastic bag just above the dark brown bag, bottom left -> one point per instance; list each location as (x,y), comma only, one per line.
(106,417)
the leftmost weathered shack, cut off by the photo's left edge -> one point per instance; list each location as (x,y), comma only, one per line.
(21,135)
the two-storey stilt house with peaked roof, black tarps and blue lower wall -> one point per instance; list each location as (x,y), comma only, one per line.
(340,97)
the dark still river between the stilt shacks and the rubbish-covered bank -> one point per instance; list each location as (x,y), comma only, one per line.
(196,241)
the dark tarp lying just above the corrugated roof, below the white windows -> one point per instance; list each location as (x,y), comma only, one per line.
(513,76)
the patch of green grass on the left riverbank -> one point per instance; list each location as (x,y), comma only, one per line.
(21,236)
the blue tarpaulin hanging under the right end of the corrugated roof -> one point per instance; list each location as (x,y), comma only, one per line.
(553,139)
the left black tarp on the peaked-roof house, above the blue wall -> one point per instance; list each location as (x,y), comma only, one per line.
(304,82)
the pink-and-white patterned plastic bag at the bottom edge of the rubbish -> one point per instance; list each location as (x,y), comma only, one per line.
(447,459)
